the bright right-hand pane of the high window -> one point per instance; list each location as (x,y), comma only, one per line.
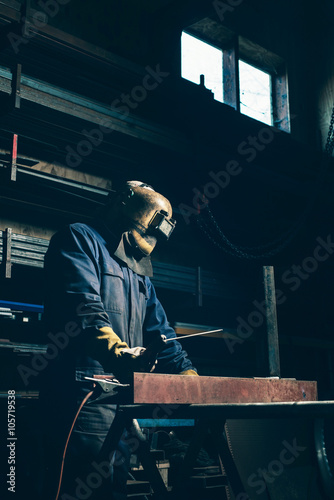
(255,93)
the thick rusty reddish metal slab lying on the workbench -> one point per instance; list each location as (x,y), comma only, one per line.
(150,388)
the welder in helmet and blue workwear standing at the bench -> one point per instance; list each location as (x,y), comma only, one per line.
(99,294)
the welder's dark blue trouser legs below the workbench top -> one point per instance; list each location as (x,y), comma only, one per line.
(86,473)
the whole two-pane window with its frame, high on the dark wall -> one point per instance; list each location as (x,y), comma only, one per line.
(255,89)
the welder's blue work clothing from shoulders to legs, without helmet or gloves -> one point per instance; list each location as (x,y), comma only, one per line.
(88,288)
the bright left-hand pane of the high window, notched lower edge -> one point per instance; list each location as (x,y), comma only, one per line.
(200,58)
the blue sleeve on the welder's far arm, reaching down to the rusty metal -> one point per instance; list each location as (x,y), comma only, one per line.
(172,359)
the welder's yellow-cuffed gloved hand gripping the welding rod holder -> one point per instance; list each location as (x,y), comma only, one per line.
(114,355)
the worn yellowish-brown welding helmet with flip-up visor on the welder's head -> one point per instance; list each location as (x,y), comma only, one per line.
(148,216)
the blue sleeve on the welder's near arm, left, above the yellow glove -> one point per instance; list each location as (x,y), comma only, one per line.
(72,277)
